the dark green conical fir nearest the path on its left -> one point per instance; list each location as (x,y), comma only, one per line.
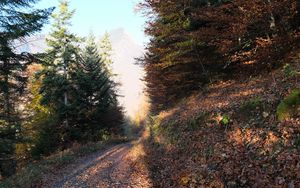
(95,93)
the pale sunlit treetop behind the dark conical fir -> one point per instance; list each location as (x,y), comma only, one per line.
(105,50)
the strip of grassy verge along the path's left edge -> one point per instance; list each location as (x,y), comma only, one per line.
(33,172)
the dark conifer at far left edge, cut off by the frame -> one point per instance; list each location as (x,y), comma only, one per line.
(17,20)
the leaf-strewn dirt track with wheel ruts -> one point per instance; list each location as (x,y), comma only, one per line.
(110,168)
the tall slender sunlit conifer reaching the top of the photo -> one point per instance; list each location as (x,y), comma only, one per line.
(60,59)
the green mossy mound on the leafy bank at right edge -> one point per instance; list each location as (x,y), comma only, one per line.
(289,106)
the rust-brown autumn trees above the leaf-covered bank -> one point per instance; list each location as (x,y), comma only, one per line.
(195,42)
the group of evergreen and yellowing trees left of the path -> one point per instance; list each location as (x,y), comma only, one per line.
(49,101)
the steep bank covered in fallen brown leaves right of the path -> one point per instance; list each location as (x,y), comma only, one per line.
(229,135)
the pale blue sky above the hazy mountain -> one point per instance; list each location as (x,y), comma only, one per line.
(103,15)
